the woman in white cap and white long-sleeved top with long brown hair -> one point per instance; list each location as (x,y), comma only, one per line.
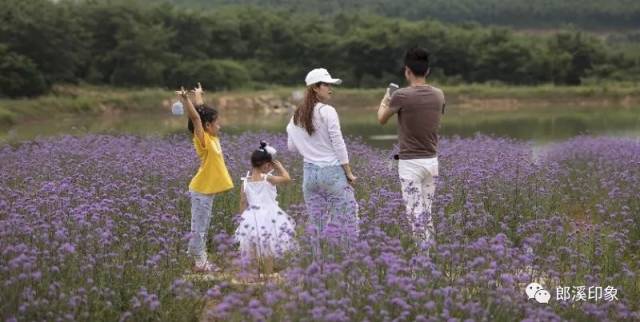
(314,131)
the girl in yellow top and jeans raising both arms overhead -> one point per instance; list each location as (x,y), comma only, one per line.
(212,176)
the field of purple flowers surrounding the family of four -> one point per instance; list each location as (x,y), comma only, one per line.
(95,228)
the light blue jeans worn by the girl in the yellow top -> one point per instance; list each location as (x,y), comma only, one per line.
(201,206)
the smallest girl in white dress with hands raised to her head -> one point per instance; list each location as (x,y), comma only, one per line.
(264,230)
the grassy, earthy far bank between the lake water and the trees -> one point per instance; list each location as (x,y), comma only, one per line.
(98,100)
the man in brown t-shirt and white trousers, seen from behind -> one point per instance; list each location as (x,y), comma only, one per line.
(419,108)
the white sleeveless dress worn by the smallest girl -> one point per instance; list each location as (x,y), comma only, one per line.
(264,230)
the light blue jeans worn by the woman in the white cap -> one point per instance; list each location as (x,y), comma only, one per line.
(329,198)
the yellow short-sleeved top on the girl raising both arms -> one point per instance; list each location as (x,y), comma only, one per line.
(212,176)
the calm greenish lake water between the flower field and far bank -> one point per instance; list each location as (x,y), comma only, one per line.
(539,125)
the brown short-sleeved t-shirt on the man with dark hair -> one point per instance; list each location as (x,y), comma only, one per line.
(419,109)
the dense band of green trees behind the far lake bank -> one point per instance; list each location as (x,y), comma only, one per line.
(125,43)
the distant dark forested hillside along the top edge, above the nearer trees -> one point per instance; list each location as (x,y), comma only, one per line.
(592,14)
